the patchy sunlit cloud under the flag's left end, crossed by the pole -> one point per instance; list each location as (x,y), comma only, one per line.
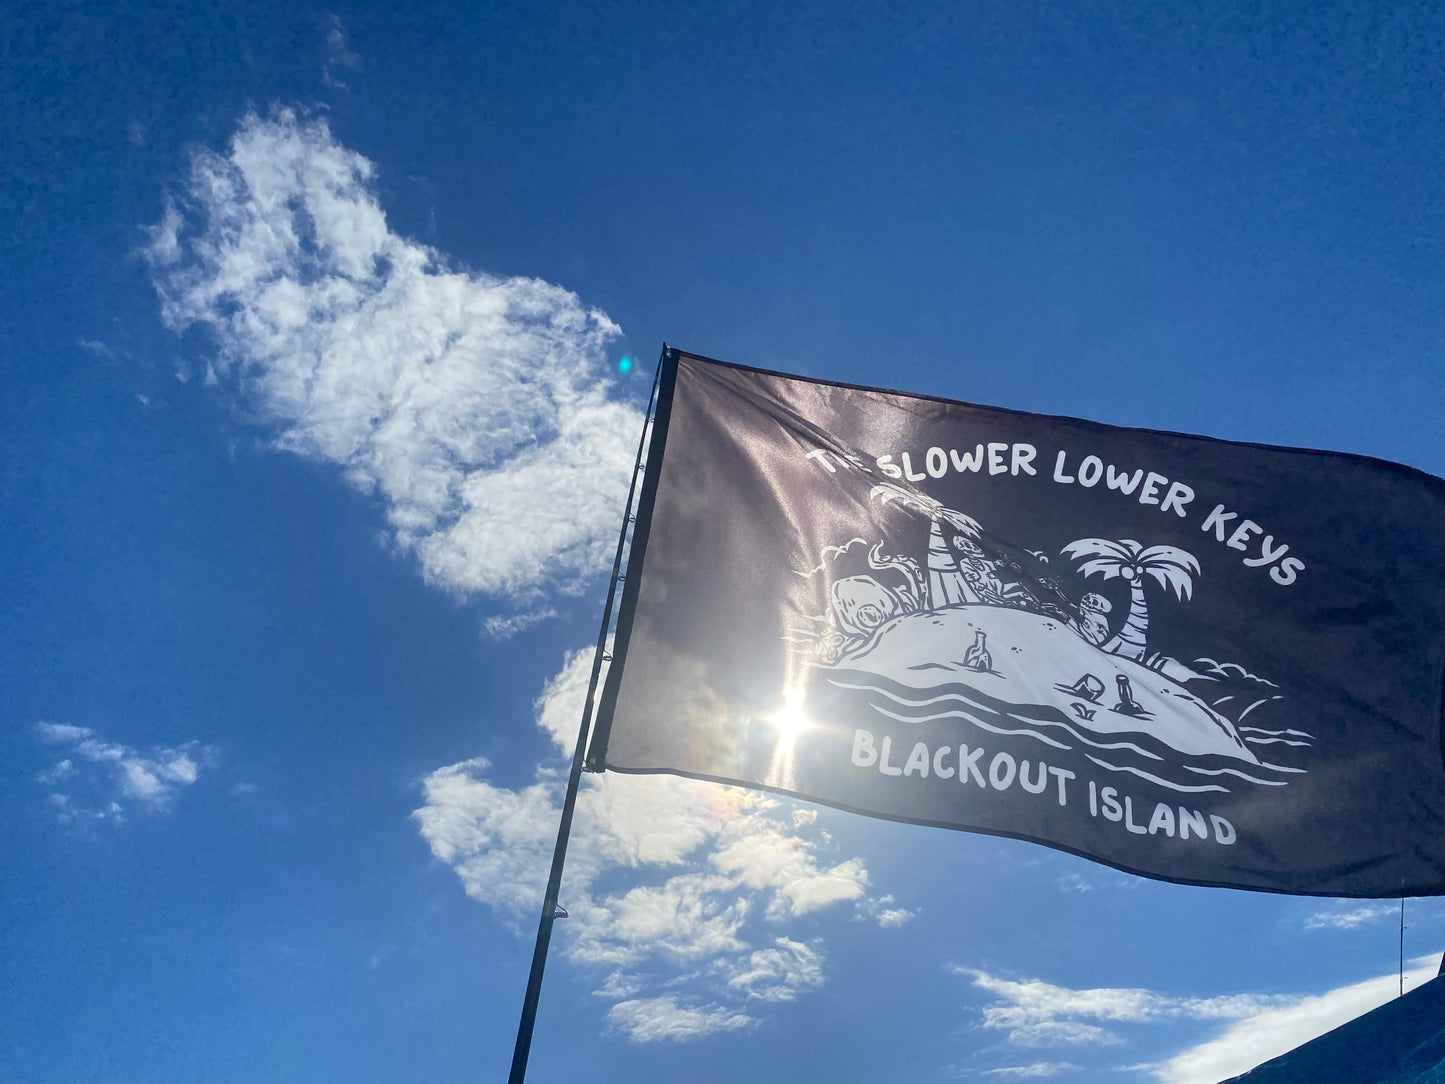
(699,936)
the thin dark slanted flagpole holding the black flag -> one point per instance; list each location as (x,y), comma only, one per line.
(551,913)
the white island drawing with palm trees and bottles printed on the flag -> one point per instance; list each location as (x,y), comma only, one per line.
(979,631)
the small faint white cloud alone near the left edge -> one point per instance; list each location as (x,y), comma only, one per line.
(105,780)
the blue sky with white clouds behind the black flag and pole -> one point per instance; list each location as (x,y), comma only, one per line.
(314,446)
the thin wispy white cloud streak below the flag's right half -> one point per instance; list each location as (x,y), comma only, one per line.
(1038,1014)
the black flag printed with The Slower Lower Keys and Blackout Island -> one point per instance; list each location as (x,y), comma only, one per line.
(1193,660)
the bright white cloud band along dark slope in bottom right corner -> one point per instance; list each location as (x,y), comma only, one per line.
(1274,1031)
